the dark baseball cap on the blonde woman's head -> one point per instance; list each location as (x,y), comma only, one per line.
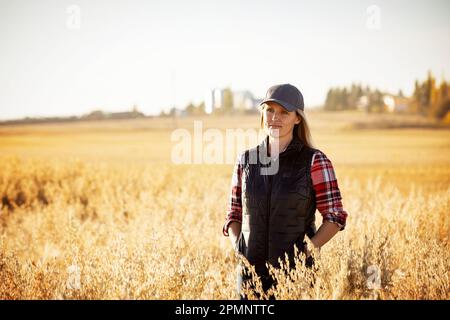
(286,95)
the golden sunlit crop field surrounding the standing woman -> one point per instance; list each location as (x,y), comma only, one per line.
(97,210)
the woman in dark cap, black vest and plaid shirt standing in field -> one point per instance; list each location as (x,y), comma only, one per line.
(272,204)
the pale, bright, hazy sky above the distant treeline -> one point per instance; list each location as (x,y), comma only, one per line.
(159,53)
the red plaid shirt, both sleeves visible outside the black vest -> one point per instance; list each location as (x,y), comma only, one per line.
(328,196)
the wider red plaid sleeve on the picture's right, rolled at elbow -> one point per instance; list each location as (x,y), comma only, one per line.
(328,195)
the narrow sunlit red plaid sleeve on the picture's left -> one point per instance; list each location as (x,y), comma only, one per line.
(234,206)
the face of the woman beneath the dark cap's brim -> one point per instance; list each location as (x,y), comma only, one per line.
(278,122)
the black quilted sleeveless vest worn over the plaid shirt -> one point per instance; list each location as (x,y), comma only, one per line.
(278,209)
